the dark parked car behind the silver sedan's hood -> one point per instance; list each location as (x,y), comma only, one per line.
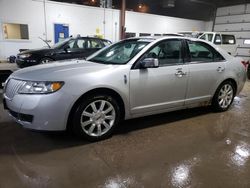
(80,47)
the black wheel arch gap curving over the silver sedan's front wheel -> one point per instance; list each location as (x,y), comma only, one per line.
(92,92)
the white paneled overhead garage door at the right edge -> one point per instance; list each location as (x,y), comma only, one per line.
(236,20)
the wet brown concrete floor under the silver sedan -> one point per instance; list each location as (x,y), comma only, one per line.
(190,148)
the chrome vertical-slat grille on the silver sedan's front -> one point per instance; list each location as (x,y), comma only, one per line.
(12,87)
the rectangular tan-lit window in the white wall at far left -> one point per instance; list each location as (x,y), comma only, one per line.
(15,31)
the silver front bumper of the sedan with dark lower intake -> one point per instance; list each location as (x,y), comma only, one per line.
(40,112)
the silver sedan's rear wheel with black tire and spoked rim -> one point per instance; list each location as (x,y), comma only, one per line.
(224,96)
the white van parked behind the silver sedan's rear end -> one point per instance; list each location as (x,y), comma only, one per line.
(225,41)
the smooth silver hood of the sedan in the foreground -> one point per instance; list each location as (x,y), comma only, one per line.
(60,71)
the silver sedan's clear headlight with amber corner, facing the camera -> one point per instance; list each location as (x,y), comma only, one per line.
(40,87)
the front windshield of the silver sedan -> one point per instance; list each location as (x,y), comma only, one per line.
(121,52)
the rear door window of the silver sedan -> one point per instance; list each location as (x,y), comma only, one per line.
(202,52)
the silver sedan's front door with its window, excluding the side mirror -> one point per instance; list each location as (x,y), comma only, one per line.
(157,89)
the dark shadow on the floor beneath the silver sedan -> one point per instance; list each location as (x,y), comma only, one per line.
(14,138)
